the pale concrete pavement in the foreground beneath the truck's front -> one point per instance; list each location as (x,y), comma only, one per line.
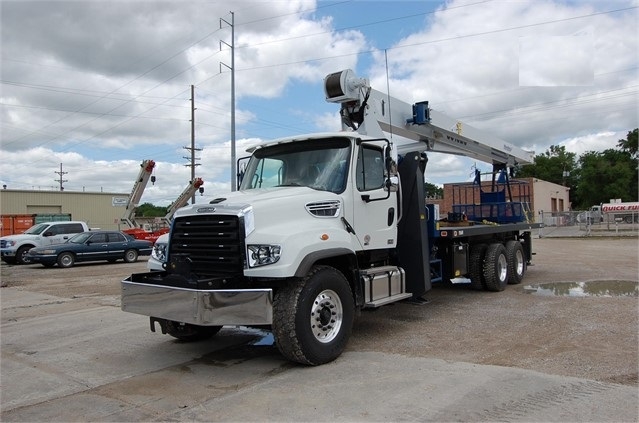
(97,363)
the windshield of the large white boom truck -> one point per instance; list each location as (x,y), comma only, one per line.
(319,164)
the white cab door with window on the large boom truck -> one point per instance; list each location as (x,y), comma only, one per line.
(375,211)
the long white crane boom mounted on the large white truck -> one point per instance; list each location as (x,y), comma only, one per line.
(374,113)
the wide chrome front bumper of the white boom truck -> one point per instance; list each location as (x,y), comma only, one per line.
(216,307)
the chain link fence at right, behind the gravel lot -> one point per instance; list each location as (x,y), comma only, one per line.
(587,223)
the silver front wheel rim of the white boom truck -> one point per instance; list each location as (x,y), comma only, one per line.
(326,316)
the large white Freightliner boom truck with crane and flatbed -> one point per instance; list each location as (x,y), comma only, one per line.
(327,224)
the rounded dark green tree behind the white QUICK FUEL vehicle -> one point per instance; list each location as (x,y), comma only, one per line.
(604,175)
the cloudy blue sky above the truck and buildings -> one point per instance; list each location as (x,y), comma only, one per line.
(90,89)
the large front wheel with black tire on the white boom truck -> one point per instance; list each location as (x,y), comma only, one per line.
(313,317)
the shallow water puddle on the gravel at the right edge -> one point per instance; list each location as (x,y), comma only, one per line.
(586,289)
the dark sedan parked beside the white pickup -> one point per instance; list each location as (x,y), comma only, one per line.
(91,246)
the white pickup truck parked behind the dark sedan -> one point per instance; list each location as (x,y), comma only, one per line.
(14,248)
